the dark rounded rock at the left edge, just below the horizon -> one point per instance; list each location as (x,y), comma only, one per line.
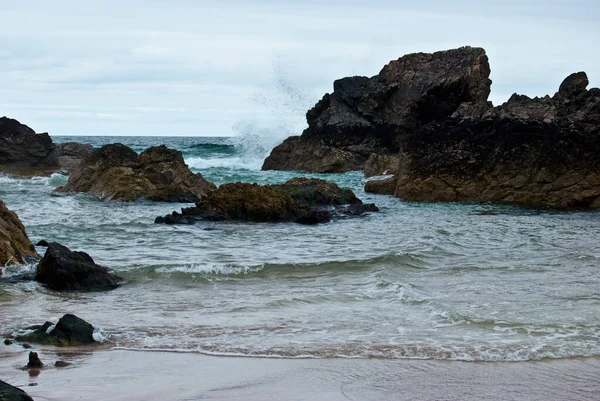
(25,153)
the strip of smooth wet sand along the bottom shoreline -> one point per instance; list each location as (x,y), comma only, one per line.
(135,375)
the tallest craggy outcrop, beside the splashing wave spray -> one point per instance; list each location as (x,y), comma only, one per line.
(365,116)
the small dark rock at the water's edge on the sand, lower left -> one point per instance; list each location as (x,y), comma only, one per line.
(69,331)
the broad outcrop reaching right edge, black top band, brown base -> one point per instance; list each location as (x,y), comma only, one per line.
(537,152)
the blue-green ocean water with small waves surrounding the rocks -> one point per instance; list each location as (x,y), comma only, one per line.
(434,281)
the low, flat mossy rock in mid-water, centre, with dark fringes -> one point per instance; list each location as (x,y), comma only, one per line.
(301,200)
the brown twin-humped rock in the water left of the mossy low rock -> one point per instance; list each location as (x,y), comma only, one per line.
(116,172)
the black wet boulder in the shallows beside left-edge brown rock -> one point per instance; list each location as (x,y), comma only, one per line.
(64,270)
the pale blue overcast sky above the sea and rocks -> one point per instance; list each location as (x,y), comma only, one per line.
(225,68)
